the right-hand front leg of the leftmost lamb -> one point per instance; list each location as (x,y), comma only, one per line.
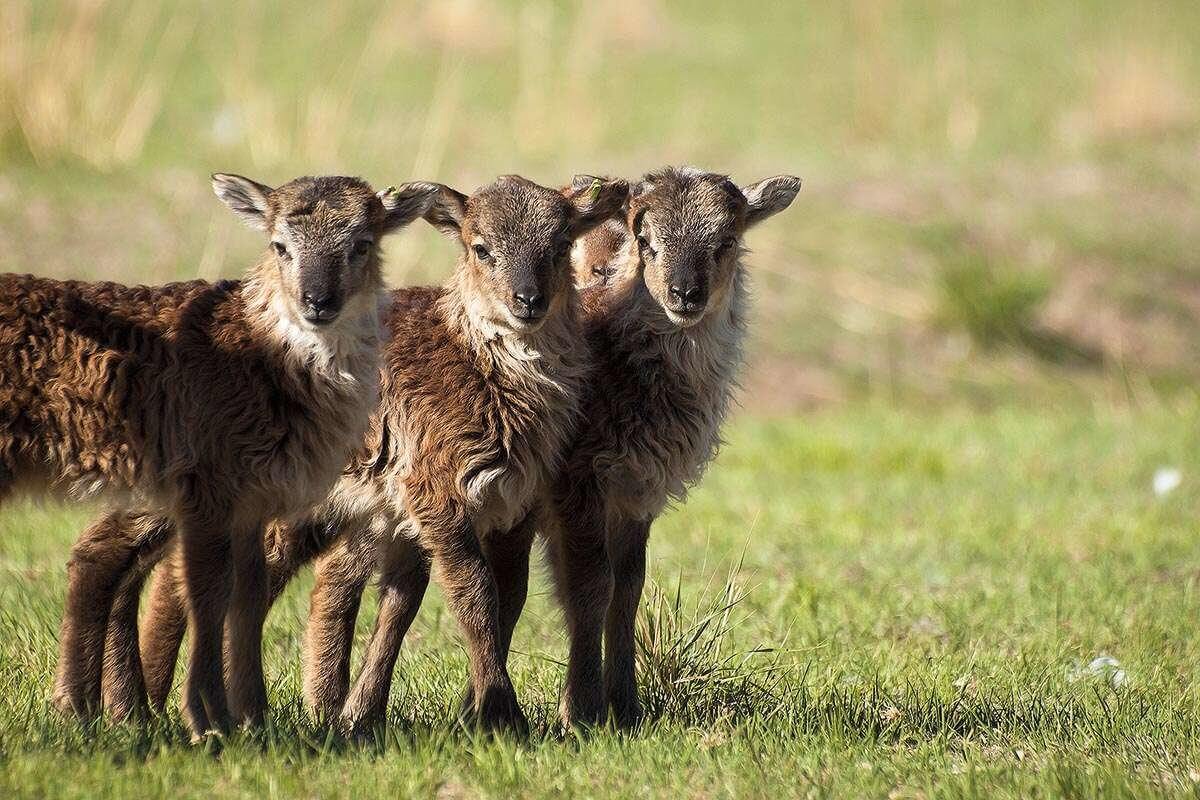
(244,629)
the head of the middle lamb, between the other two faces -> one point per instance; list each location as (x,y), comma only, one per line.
(517,240)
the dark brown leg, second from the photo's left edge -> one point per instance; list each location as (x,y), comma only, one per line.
(124,690)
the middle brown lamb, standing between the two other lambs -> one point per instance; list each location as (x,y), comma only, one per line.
(482,387)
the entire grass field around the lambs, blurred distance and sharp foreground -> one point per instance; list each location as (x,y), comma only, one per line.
(975,345)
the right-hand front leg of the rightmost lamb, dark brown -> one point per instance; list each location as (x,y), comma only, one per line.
(627,549)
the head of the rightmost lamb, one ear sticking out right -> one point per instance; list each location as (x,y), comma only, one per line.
(688,227)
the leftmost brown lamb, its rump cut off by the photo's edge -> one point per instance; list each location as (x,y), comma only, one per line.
(218,407)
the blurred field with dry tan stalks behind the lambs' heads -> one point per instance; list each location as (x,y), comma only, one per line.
(1001,199)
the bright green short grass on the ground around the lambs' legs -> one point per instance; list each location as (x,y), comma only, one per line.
(917,601)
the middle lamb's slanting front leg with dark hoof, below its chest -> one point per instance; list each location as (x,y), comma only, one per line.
(470,587)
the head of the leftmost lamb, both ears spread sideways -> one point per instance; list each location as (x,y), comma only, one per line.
(325,236)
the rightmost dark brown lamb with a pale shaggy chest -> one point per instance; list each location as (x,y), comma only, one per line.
(668,345)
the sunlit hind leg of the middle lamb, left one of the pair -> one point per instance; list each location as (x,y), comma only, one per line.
(341,576)
